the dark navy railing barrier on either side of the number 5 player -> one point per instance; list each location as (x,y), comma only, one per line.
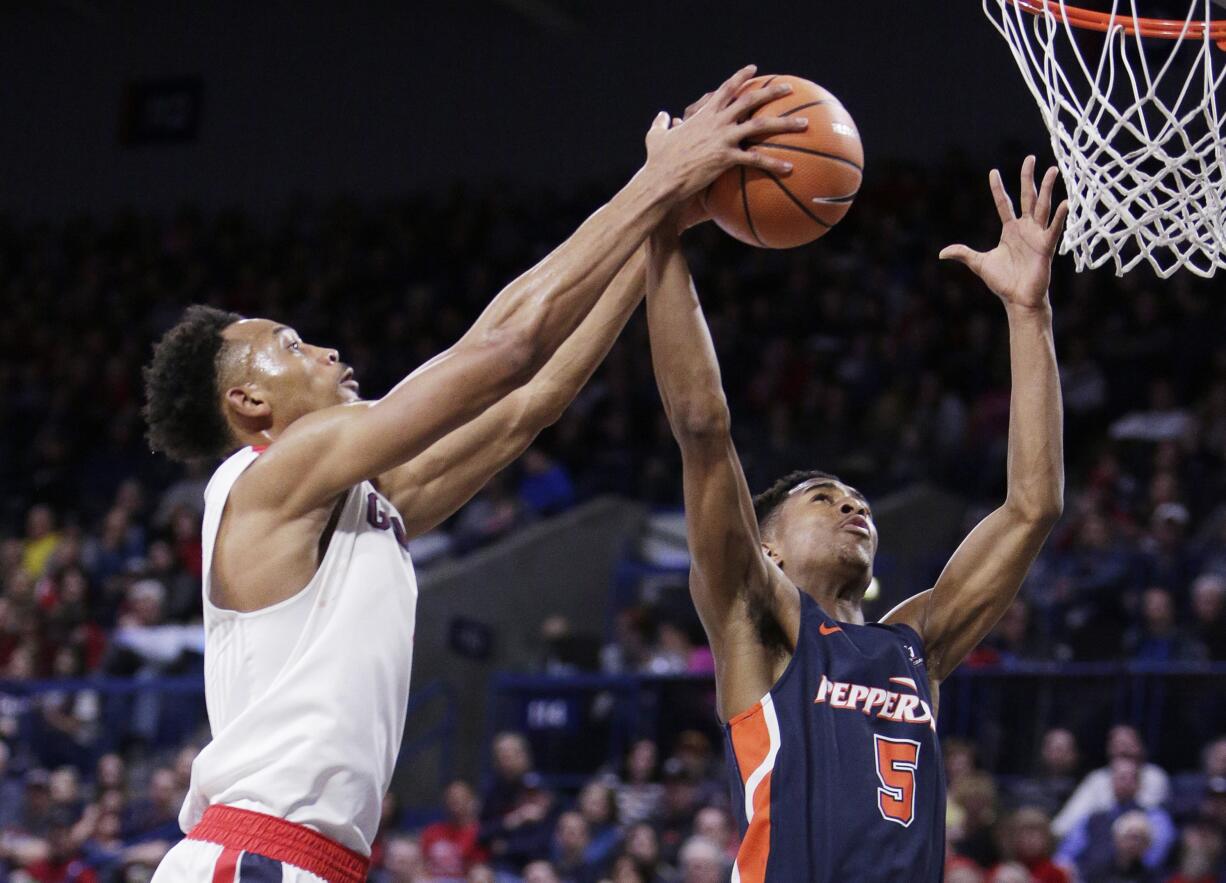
(584,723)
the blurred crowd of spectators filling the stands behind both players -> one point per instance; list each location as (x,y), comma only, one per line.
(861,356)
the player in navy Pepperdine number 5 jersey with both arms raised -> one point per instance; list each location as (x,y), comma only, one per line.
(832,723)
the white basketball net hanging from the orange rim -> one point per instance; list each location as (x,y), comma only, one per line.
(1135,128)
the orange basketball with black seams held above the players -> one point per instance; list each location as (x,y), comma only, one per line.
(828,164)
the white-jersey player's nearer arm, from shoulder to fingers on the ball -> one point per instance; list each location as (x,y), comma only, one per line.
(326,453)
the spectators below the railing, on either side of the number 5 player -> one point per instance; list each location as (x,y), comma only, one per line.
(665,819)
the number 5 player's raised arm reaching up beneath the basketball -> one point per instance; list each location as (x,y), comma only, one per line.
(731,581)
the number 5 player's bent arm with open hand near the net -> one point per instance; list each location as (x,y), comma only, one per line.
(984,576)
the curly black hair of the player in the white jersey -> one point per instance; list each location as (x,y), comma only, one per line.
(182,409)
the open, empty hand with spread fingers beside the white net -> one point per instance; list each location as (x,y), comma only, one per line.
(1019,269)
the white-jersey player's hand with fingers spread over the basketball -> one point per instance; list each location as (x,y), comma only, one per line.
(692,154)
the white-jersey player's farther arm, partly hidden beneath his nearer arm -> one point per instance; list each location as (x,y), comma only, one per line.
(432,486)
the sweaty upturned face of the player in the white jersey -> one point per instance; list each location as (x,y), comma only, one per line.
(297,378)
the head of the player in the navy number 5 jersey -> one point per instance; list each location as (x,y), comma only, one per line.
(826,526)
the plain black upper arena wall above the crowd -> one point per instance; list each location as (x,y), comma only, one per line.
(378,99)
